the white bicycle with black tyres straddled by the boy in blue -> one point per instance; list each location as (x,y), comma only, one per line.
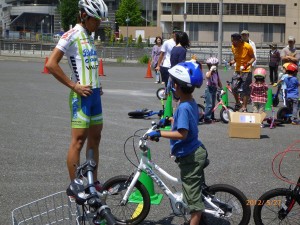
(223,202)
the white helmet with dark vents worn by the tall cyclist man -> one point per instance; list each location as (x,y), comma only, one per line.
(94,8)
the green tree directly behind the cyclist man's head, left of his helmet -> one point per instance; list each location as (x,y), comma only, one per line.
(69,10)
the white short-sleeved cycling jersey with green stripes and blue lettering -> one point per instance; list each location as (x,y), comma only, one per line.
(80,50)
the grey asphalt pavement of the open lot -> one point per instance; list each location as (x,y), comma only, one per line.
(35,134)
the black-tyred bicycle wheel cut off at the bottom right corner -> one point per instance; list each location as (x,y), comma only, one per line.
(277,206)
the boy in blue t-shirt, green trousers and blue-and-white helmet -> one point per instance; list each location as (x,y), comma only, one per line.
(189,151)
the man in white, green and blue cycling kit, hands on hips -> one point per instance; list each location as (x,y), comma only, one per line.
(85,101)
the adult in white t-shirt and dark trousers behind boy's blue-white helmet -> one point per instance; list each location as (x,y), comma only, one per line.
(164,62)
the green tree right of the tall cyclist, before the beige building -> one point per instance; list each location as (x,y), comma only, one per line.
(132,9)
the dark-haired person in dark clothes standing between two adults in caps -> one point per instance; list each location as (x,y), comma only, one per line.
(274,63)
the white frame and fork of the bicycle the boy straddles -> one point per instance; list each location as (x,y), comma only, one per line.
(146,166)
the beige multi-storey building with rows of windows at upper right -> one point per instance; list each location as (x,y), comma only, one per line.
(267,21)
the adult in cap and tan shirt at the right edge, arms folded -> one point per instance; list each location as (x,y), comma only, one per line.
(289,54)
